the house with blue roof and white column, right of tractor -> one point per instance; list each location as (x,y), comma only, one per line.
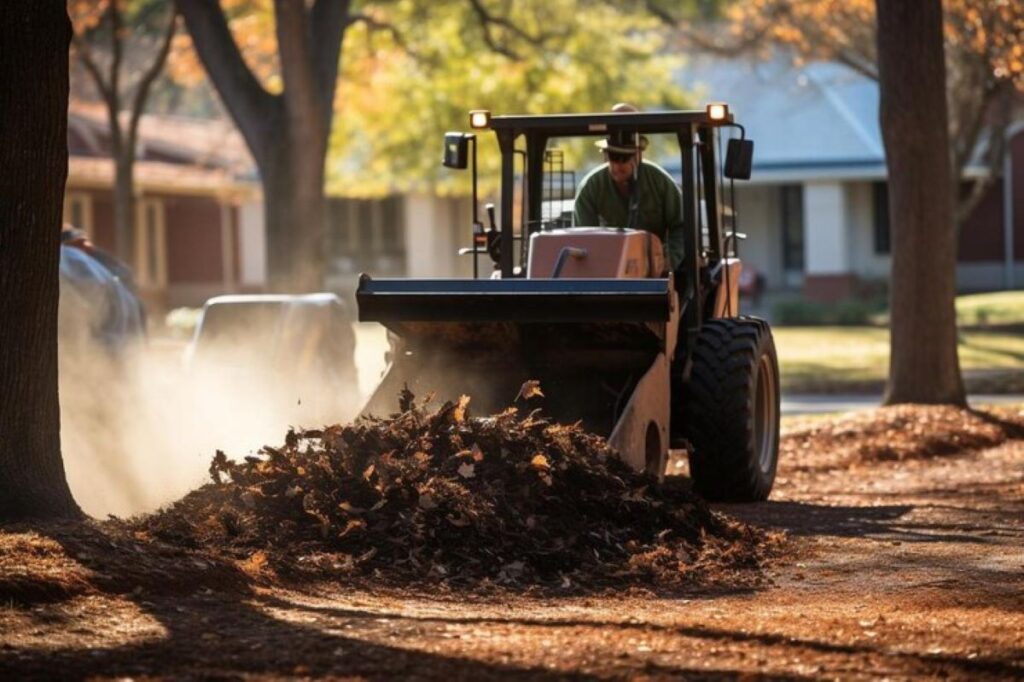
(816,209)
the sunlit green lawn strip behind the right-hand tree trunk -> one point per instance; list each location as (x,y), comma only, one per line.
(838,358)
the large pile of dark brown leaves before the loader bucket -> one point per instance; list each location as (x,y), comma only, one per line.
(437,495)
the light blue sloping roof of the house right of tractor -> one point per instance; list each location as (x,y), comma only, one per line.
(820,120)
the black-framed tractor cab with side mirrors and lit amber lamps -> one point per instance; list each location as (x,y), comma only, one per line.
(534,227)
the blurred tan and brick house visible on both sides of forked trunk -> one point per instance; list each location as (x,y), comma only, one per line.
(200,224)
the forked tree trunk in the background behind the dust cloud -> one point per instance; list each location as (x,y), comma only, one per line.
(287,134)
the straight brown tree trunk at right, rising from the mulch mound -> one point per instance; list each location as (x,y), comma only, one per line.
(924,366)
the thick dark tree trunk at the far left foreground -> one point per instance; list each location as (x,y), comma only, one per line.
(34,40)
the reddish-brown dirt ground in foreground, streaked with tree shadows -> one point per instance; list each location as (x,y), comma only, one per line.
(899,570)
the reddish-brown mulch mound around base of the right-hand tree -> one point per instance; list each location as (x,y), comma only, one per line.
(905,433)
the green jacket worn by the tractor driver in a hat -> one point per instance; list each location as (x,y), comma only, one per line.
(600,204)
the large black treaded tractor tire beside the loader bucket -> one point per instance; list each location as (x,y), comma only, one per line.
(730,410)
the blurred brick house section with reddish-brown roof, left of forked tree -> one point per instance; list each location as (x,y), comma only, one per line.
(199,224)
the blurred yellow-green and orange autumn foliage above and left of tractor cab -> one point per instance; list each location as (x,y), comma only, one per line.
(412,70)
